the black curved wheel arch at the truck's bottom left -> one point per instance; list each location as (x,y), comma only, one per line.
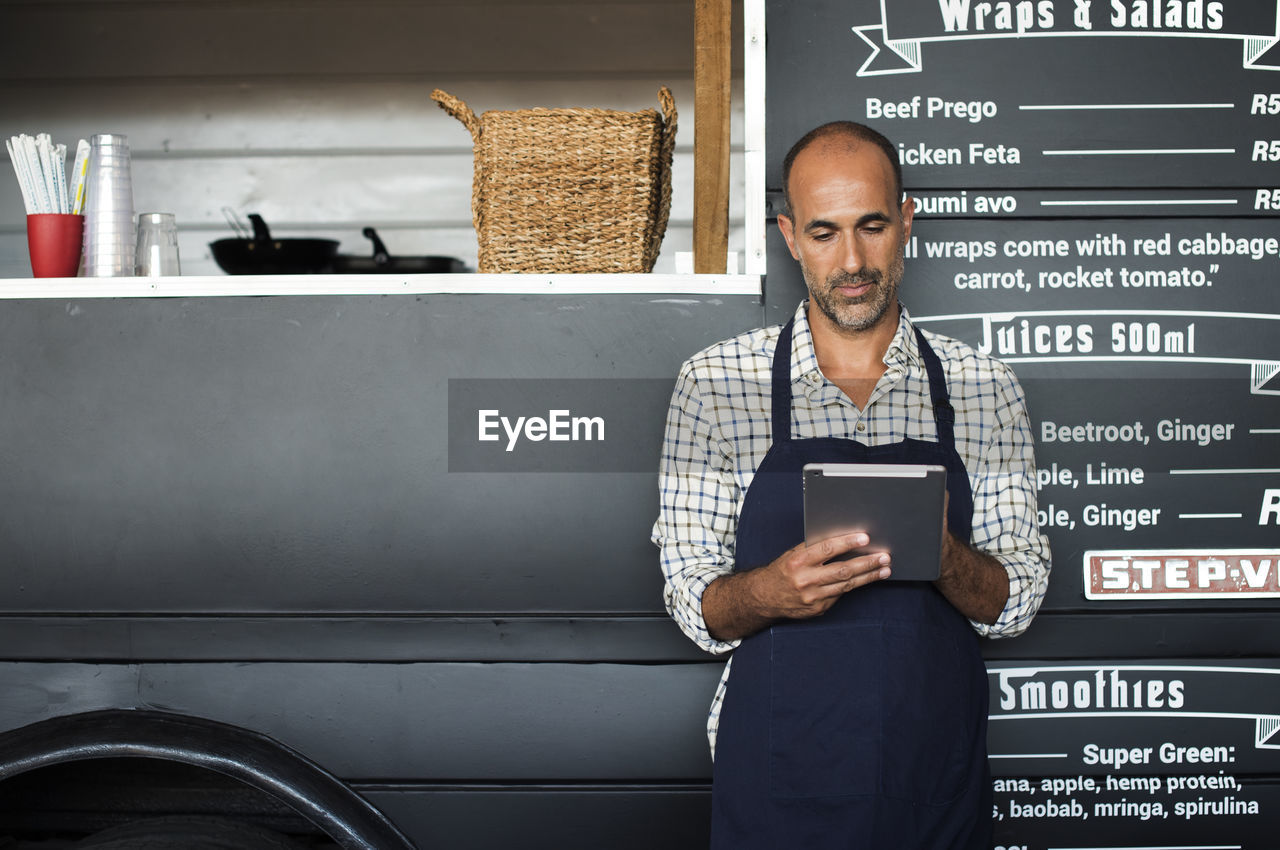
(253,758)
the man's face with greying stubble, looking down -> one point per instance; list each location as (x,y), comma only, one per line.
(848,231)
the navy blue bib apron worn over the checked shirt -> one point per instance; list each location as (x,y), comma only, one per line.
(867,726)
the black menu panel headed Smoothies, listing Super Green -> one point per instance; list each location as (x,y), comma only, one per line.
(1104,752)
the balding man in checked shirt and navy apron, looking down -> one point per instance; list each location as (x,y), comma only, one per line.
(854,710)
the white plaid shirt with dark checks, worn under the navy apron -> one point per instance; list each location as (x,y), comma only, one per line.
(719,433)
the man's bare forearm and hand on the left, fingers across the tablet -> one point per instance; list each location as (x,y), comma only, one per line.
(801,583)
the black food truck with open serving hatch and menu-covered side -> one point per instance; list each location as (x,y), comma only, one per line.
(364,560)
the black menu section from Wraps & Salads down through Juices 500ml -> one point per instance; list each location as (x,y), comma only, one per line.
(1096,189)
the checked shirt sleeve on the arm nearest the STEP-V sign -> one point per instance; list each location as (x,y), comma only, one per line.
(1004,509)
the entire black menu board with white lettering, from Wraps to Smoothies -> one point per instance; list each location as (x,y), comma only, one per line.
(1098,190)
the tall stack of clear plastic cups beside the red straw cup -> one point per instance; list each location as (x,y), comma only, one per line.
(111,239)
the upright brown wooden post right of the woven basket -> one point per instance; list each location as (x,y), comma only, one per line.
(712,81)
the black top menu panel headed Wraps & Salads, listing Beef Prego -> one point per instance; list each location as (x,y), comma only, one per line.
(1055,95)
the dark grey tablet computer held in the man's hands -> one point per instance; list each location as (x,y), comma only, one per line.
(898,505)
